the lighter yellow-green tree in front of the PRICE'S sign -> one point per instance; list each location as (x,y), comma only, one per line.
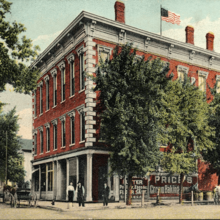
(188,130)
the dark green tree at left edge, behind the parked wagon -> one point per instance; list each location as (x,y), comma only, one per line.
(8,135)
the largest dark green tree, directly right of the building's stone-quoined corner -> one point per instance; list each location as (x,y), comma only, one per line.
(131,90)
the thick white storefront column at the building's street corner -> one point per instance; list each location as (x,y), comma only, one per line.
(89,178)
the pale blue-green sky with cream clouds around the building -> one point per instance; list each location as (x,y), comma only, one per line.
(45,20)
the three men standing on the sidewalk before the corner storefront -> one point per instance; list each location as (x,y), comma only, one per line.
(80,192)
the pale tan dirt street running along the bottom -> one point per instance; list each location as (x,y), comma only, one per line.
(158,212)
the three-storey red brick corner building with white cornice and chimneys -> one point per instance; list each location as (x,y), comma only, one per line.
(66,143)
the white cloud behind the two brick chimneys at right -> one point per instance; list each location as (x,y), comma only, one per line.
(201,28)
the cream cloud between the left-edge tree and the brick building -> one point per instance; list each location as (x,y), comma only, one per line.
(25,123)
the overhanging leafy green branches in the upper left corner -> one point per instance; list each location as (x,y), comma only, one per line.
(14,52)
